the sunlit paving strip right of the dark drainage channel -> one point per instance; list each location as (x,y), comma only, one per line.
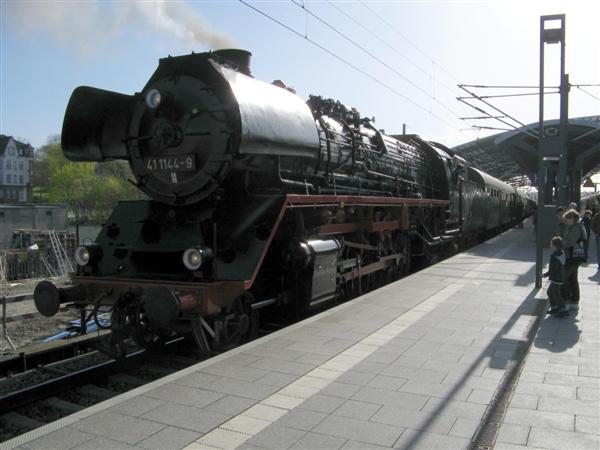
(556,403)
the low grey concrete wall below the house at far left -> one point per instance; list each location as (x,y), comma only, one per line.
(41,216)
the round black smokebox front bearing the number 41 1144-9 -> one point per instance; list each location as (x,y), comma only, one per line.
(181,152)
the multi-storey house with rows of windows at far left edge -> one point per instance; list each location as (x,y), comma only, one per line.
(16,166)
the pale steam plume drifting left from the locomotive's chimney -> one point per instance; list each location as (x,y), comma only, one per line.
(86,26)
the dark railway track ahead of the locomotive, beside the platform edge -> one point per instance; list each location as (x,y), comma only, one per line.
(48,392)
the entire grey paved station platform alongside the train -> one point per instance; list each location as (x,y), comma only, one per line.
(458,355)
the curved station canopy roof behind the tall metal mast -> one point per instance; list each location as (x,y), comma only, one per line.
(512,155)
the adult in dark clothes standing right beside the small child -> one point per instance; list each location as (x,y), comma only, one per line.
(573,246)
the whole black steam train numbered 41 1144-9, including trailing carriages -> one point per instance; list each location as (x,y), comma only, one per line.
(257,202)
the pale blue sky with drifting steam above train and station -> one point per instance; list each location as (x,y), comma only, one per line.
(409,63)
